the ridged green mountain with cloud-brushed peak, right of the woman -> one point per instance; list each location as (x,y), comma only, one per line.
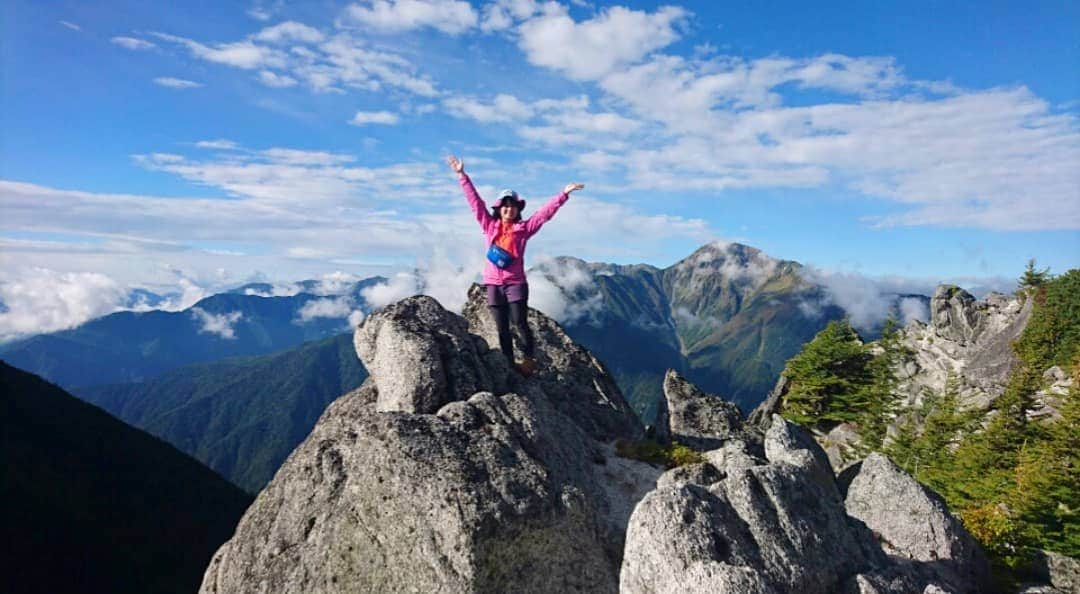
(728,317)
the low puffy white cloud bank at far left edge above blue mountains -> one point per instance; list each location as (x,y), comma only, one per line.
(42,301)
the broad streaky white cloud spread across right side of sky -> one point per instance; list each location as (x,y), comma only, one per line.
(998,159)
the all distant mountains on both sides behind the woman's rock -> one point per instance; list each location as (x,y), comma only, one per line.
(239,399)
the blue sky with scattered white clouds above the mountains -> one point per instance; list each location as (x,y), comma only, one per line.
(195,147)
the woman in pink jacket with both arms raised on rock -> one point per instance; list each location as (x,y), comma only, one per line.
(508,291)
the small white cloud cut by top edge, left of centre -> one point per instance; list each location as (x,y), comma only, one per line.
(450,17)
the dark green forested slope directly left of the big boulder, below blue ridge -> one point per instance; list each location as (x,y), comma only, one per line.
(241,417)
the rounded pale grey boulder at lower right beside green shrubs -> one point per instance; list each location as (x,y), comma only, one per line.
(914,523)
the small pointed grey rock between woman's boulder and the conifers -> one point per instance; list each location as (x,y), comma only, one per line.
(694,418)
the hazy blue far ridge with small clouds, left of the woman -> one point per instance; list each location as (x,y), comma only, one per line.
(138,346)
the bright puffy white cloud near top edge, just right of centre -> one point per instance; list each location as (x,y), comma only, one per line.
(616,37)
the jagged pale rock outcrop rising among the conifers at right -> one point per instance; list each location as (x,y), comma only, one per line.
(966,340)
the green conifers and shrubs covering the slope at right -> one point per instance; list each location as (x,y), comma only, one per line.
(1014,481)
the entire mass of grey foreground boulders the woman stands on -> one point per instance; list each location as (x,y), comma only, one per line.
(447,471)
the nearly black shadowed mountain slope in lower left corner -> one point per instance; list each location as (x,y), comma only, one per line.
(91,505)
